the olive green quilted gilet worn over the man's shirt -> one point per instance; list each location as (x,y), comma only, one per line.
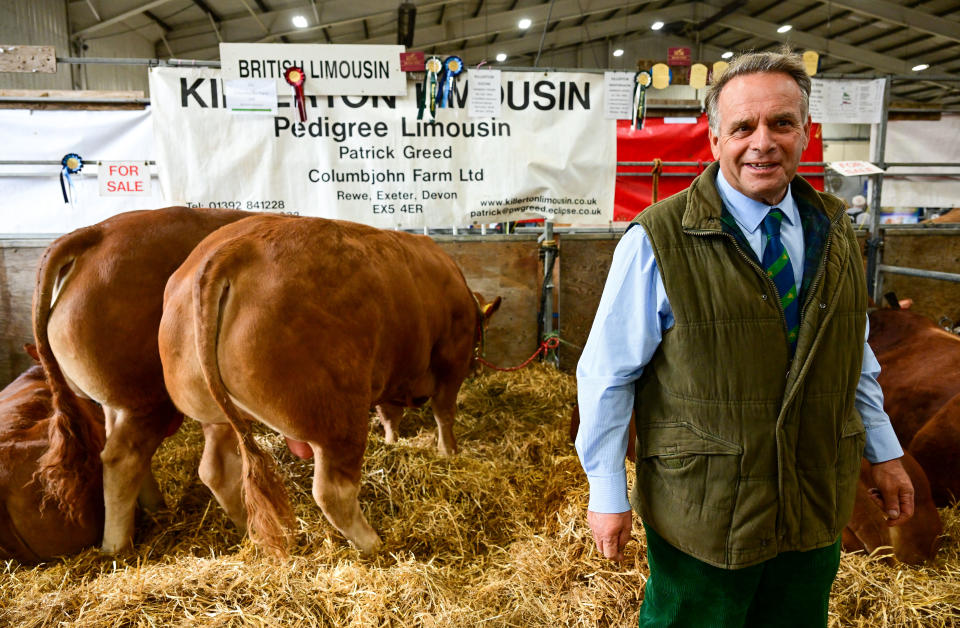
(741,452)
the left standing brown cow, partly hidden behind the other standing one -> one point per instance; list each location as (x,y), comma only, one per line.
(97,307)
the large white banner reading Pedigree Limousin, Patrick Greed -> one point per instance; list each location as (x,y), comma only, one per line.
(550,154)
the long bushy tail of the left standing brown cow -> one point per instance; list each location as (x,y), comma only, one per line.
(73,455)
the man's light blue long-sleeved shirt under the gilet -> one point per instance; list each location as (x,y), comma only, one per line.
(633,314)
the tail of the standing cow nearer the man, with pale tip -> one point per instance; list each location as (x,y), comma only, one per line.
(269,515)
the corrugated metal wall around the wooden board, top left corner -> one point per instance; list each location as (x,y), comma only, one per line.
(35,23)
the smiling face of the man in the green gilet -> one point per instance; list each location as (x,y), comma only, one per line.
(761,134)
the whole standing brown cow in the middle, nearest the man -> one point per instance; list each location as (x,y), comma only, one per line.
(304,324)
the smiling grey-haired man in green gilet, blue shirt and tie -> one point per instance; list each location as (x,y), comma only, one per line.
(748,386)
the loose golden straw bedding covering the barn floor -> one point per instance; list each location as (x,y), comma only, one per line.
(493,536)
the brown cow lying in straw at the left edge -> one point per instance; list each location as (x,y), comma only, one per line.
(30,530)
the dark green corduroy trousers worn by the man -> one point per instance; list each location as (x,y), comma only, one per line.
(791,590)
